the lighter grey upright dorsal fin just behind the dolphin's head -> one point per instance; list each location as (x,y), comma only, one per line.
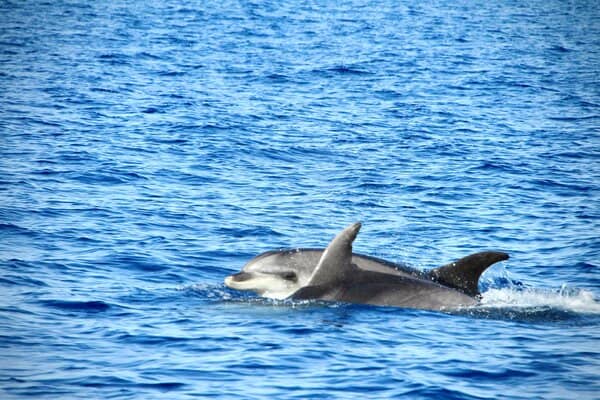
(336,261)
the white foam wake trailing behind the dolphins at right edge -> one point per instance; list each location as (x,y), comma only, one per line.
(579,301)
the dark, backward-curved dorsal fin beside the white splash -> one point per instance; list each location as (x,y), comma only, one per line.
(464,274)
